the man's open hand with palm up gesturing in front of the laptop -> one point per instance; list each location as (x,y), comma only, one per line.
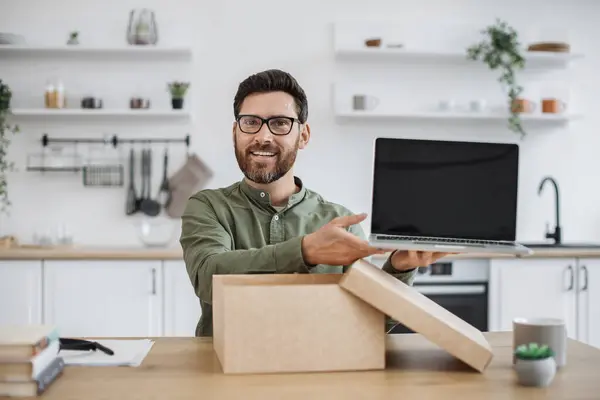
(333,245)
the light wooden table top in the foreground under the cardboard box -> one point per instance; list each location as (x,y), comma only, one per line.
(186,368)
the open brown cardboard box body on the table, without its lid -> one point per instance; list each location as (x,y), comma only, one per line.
(294,323)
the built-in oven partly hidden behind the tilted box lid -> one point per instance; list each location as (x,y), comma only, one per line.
(460,286)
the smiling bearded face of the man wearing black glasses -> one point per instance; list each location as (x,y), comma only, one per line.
(265,157)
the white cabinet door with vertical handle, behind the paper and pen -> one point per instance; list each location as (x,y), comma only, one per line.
(104,298)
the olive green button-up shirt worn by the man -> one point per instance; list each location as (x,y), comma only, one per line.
(236,230)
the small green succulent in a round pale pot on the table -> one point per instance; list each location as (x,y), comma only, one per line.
(535,364)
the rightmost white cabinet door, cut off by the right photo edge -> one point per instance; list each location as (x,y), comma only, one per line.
(589,301)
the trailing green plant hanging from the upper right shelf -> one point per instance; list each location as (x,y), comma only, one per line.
(500,50)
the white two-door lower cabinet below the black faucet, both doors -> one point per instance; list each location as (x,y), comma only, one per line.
(567,288)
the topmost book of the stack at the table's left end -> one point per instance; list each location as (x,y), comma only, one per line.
(21,342)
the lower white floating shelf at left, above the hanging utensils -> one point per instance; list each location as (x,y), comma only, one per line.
(149,113)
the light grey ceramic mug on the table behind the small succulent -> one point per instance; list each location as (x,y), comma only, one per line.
(549,331)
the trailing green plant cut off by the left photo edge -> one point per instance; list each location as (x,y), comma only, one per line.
(5,130)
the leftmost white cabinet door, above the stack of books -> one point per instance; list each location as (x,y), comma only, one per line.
(20,292)
